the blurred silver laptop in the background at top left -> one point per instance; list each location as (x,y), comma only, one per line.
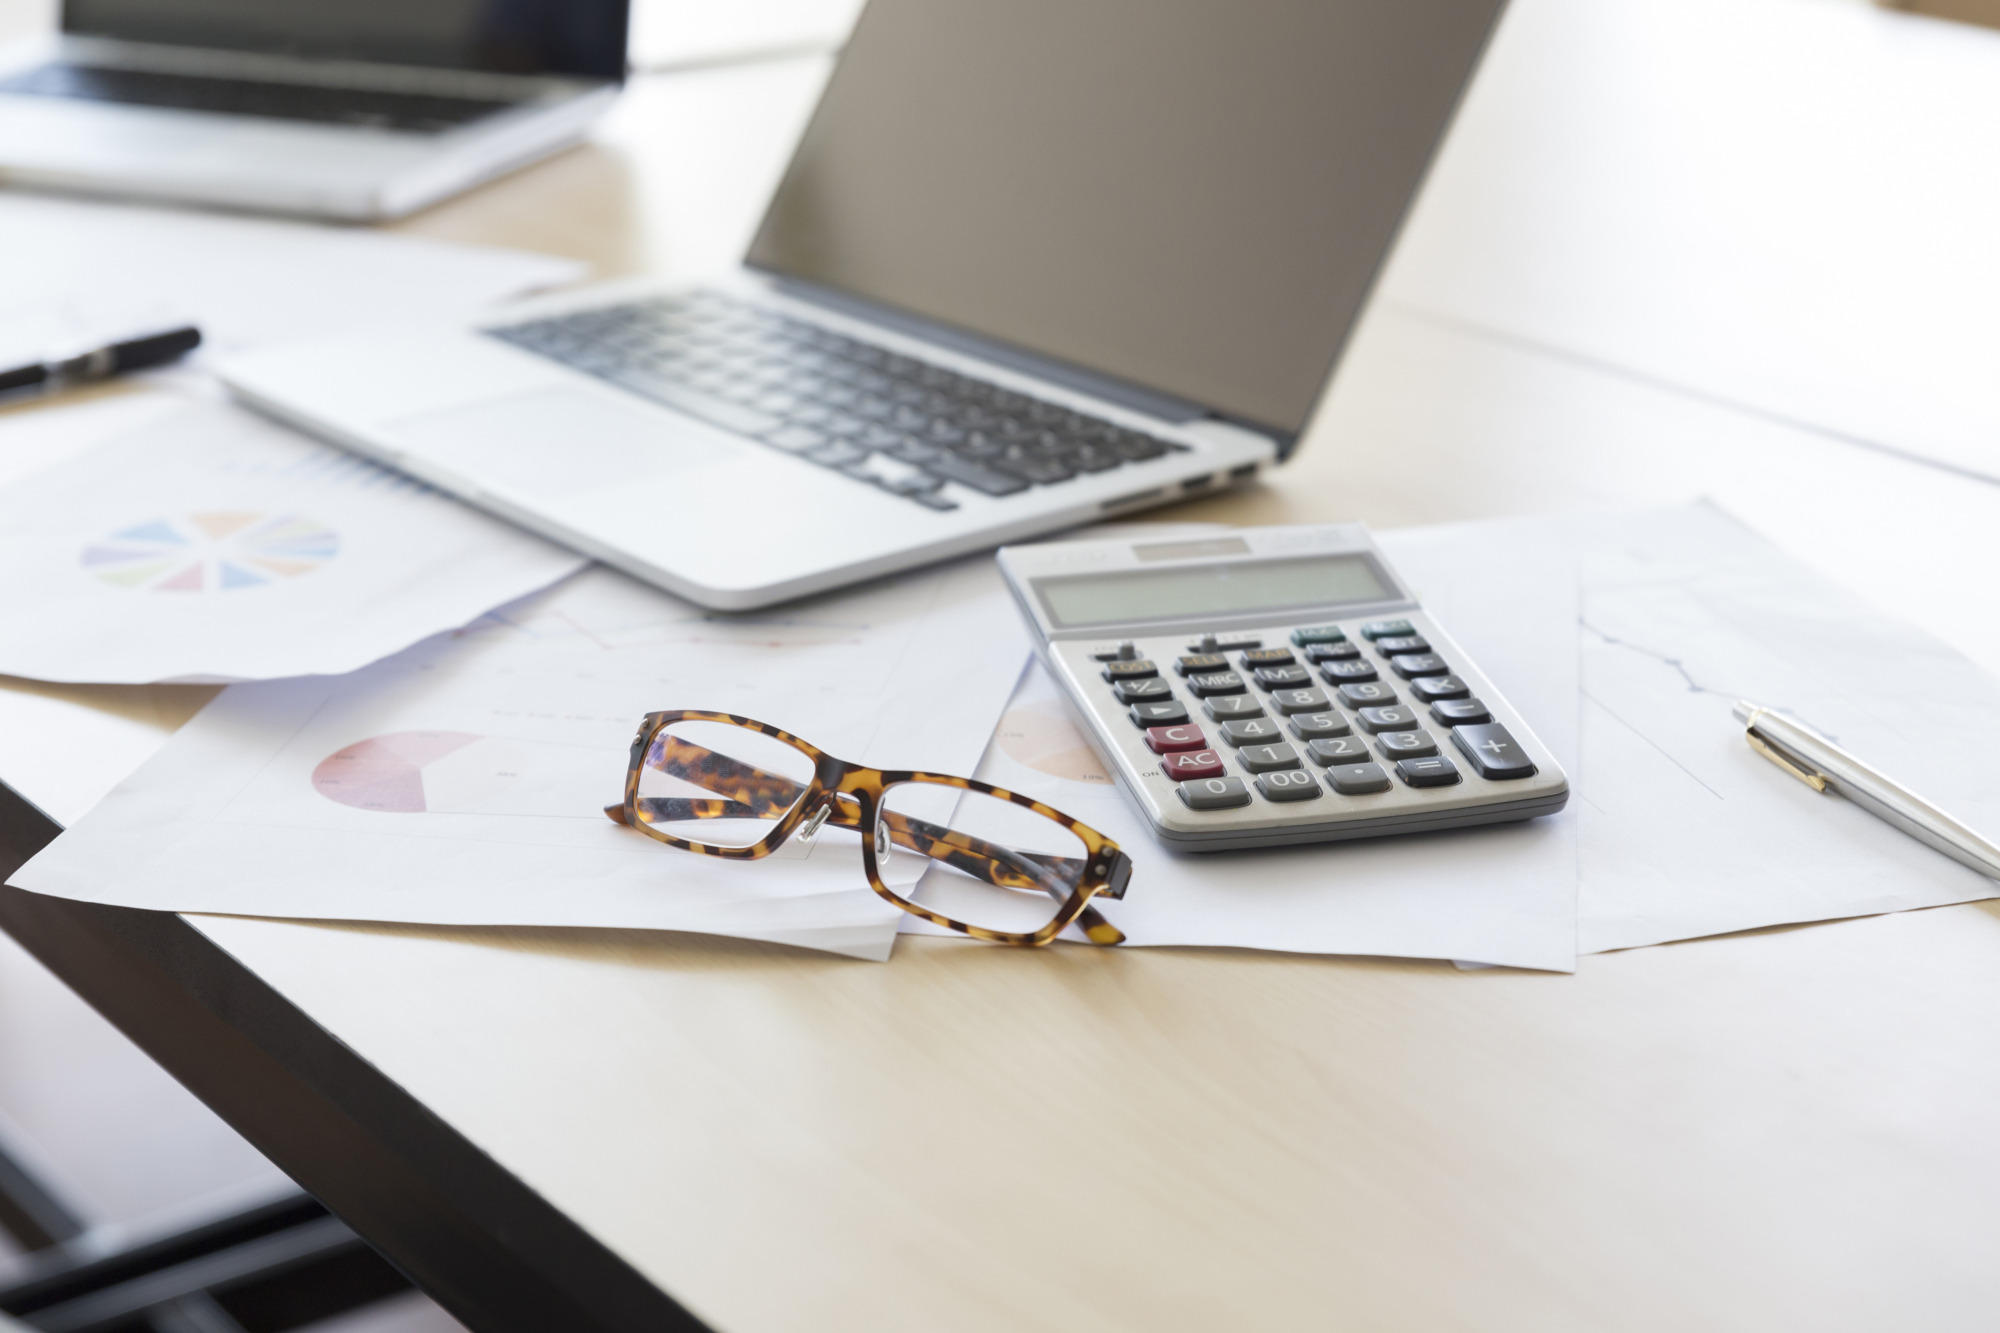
(337,109)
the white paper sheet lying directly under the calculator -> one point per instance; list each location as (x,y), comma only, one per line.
(1503,894)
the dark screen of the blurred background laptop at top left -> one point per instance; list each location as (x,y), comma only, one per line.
(513,37)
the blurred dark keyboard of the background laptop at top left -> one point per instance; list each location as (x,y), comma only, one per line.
(251,97)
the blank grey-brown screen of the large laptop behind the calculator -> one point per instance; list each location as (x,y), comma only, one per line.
(1185,195)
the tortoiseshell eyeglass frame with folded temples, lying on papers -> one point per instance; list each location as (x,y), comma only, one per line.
(851,798)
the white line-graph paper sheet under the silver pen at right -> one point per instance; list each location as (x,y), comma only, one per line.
(1685,830)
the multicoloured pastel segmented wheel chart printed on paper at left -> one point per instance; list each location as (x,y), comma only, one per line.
(217,551)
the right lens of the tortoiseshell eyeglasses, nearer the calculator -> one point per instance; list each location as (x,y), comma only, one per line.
(977,860)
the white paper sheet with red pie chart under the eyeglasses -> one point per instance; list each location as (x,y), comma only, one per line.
(499,748)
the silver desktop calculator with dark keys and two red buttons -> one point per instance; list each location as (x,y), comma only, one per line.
(1277,686)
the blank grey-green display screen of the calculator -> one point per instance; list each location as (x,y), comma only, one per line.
(1227,589)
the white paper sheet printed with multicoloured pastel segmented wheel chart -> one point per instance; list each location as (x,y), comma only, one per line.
(213,545)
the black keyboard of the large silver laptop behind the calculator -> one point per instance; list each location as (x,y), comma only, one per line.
(859,409)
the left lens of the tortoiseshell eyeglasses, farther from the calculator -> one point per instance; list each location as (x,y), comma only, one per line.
(719,784)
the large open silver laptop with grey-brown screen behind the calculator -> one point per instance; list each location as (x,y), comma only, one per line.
(1033,265)
